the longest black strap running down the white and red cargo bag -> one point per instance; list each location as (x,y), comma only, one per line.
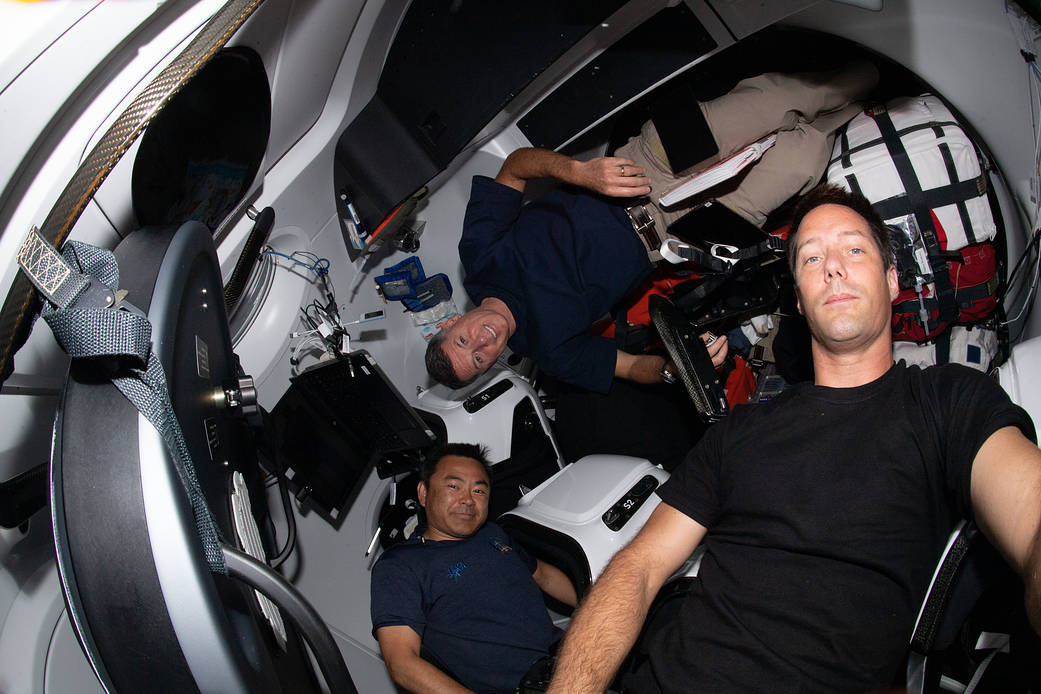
(920,207)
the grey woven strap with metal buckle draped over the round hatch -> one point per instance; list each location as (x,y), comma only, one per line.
(117,332)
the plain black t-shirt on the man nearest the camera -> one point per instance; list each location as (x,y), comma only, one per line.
(827,510)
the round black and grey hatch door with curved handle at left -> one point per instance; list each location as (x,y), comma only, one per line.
(146,605)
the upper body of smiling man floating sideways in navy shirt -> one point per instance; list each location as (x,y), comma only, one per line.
(541,274)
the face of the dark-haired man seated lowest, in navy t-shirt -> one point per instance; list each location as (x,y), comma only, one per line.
(456,500)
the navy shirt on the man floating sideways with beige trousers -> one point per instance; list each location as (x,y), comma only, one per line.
(560,264)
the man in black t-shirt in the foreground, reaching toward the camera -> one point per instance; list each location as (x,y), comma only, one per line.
(824,511)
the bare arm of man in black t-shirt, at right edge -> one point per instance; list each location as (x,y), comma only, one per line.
(1007,500)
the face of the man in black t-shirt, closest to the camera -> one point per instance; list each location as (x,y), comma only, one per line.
(843,286)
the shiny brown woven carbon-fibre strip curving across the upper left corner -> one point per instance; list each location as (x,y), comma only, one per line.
(21,306)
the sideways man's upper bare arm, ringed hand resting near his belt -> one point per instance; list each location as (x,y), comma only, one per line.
(611,176)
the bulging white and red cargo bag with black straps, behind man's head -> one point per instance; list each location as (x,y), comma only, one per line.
(924,176)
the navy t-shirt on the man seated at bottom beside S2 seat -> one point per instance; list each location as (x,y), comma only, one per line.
(474,604)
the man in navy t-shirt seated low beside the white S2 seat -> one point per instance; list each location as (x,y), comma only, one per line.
(462,590)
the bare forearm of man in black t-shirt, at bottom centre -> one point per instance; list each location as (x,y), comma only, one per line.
(610,621)
